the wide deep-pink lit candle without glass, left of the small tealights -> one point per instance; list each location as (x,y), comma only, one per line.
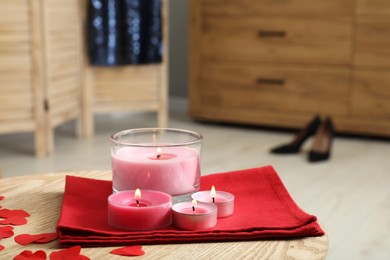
(133,210)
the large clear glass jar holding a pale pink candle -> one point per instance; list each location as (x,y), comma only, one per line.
(162,159)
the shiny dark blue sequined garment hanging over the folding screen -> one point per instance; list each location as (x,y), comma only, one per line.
(122,32)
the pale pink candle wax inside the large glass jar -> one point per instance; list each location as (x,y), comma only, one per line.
(174,170)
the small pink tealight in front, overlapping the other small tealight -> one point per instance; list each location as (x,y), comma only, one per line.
(194,216)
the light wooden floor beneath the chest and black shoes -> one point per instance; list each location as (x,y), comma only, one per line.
(350,194)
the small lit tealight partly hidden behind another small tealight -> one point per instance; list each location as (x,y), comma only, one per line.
(222,199)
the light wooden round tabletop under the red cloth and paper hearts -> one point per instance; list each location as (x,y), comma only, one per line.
(41,195)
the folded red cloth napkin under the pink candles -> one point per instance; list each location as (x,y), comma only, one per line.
(263,210)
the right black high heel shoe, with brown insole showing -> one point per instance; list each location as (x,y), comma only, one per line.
(322,143)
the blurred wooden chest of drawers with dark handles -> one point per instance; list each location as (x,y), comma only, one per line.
(278,63)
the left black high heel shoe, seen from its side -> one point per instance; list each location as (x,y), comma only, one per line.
(300,138)
